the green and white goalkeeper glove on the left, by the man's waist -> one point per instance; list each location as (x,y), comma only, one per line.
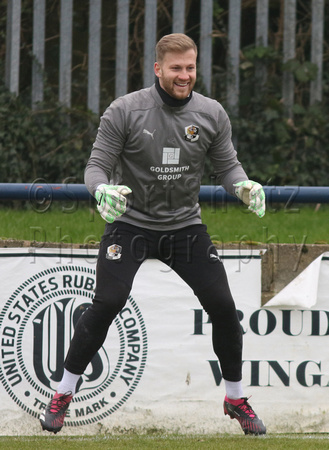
(111,201)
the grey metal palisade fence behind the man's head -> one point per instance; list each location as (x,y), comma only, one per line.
(207,37)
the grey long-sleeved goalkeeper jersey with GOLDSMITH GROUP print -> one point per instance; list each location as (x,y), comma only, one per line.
(159,152)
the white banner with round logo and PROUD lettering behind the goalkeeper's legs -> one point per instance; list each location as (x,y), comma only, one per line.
(156,368)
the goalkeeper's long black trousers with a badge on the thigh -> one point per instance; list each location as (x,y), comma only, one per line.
(191,254)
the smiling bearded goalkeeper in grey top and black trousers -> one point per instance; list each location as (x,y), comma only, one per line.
(145,172)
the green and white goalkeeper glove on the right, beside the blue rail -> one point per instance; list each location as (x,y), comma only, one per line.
(252,194)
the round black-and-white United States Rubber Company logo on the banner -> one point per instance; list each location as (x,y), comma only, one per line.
(37,324)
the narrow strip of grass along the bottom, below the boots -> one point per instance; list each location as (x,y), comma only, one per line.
(172,442)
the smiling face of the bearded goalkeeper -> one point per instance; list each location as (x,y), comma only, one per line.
(177,73)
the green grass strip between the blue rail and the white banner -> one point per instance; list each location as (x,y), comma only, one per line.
(234,223)
